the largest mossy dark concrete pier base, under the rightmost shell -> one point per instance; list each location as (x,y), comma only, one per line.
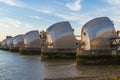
(98,57)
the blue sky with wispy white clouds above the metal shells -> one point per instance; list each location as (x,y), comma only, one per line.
(21,16)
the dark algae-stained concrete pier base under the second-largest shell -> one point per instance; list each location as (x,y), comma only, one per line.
(57,53)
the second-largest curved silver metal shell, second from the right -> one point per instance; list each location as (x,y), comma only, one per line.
(60,36)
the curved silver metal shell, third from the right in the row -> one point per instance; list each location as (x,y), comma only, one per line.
(32,39)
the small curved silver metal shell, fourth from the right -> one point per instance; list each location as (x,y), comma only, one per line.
(18,41)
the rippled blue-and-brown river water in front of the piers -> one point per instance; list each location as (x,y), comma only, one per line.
(18,67)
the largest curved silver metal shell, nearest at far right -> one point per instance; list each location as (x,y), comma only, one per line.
(95,33)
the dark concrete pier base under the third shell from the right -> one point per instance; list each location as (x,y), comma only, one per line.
(30,51)
